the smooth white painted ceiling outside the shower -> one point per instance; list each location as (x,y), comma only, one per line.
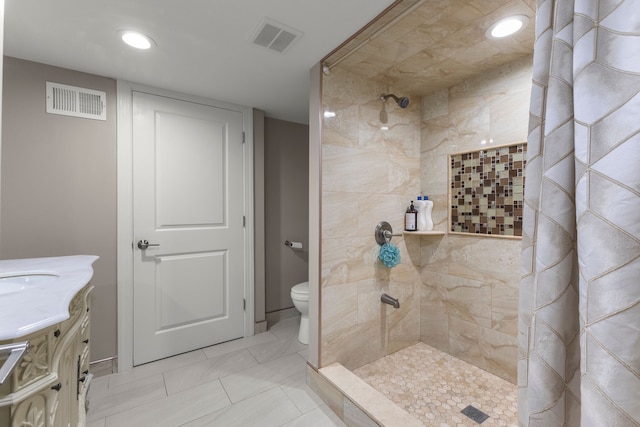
(203,46)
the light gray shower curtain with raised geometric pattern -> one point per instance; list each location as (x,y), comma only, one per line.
(579,327)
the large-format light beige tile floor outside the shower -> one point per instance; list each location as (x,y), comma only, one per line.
(255,381)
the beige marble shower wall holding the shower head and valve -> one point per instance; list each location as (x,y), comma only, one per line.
(368,176)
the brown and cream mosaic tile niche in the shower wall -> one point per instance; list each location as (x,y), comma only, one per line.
(487,191)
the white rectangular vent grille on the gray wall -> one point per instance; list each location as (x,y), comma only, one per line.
(76,101)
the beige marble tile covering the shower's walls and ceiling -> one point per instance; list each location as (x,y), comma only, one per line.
(458,294)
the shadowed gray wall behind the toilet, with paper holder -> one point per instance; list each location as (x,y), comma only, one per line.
(286,209)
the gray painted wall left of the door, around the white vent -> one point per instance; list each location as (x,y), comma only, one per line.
(59,184)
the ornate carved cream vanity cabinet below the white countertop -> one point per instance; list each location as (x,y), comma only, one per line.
(48,386)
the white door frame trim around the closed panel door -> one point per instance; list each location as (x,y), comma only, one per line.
(125,211)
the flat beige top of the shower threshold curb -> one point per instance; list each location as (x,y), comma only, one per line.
(373,403)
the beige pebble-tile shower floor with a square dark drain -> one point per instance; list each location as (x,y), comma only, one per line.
(434,387)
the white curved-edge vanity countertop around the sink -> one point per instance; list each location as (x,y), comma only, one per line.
(39,305)
